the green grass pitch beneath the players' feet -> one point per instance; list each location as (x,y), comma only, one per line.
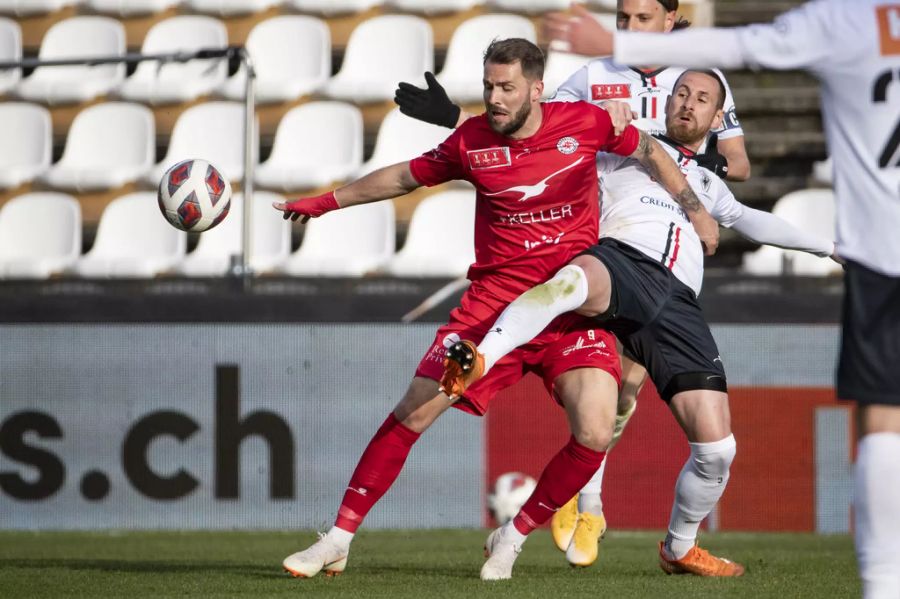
(417,564)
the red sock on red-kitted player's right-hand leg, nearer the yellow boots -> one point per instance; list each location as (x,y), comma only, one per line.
(567,472)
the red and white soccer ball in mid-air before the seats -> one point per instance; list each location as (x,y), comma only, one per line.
(194,196)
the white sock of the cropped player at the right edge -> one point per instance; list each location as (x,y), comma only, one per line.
(877,511)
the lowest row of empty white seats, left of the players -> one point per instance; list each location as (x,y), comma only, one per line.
(40,236)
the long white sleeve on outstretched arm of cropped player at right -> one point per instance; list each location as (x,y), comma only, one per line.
(797,39)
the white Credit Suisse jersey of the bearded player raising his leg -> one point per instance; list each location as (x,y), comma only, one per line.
(638,211)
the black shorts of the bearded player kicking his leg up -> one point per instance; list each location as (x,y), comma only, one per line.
(659,322)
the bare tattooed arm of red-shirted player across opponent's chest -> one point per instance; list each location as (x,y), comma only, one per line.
(661,167)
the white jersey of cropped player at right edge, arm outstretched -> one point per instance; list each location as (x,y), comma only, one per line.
(853,47)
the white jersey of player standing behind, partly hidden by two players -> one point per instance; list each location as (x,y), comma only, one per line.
(646,92)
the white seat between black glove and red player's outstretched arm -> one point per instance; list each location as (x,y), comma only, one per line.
(402,138)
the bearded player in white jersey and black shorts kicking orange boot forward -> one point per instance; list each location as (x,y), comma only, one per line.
(641,281)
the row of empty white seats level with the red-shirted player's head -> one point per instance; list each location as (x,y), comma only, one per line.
(291,56)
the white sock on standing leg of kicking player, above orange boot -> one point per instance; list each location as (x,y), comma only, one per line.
(700,485)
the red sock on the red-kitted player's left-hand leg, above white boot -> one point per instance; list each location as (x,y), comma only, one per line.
(376,471)
